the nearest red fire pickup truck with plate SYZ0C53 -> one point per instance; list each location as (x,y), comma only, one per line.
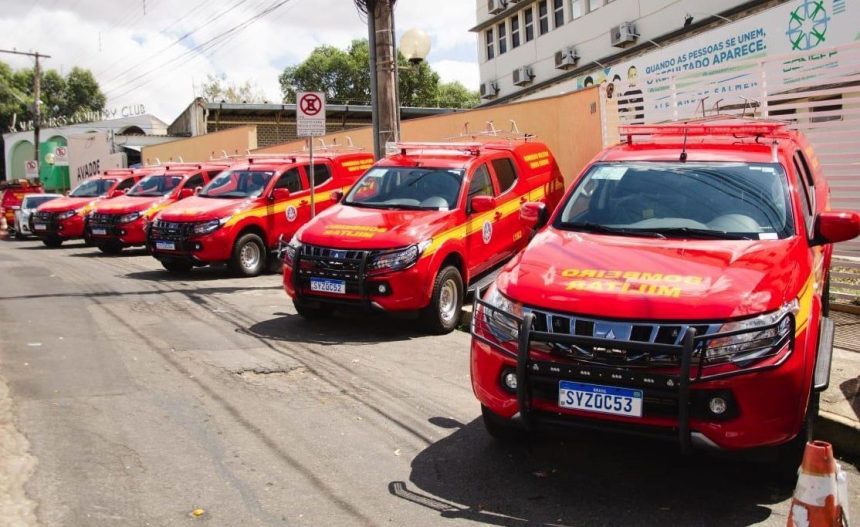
(680,290)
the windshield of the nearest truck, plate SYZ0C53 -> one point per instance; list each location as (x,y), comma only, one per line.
(681,200)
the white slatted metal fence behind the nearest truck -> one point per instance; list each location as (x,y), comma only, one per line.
(817,92)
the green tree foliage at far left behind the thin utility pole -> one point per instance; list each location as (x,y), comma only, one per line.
(62,97)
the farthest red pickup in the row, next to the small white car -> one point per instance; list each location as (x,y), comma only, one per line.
(63,219)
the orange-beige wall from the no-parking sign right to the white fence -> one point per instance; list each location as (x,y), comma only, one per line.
(568,124)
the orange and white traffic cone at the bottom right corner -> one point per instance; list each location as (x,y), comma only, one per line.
(816,497)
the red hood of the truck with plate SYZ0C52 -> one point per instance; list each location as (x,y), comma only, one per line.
(349,227)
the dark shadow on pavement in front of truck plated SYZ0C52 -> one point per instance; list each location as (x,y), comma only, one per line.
(348,328)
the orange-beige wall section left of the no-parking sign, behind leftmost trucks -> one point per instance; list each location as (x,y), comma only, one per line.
(235,141)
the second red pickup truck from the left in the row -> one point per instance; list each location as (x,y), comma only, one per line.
(121,222)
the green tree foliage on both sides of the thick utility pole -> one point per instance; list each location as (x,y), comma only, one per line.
(344,76)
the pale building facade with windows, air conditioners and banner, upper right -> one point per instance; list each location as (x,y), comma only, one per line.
(538,48)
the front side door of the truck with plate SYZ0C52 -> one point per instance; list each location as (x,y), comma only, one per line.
(481,228)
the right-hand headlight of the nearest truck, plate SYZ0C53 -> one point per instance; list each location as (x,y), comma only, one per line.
(760,337)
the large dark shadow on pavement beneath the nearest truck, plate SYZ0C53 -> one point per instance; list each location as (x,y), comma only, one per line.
(583,479)
